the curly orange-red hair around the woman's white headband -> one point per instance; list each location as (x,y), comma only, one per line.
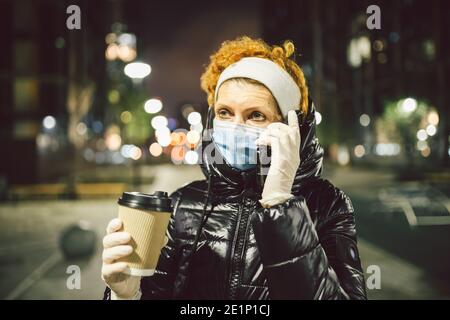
(231,51)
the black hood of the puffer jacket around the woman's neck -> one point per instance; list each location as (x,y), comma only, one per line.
(228,180)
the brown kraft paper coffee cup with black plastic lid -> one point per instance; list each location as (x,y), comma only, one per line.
(145,217)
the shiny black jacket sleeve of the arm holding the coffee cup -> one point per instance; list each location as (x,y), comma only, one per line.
(160,285)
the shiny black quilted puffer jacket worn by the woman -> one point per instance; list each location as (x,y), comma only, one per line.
(304,248)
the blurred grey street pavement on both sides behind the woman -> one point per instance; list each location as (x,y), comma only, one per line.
(32,267)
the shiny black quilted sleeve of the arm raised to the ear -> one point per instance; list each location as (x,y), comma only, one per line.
(304,261)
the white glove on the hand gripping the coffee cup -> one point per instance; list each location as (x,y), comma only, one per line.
(115,246)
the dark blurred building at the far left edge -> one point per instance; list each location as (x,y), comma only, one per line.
(33,78)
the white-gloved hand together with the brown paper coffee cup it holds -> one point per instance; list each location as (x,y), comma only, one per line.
(134,241)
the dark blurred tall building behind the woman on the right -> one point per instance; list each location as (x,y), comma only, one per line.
(352,70)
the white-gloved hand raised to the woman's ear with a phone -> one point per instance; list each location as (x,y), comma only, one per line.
(284,141)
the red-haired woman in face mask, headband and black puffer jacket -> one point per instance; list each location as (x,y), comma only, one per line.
(229,236)
